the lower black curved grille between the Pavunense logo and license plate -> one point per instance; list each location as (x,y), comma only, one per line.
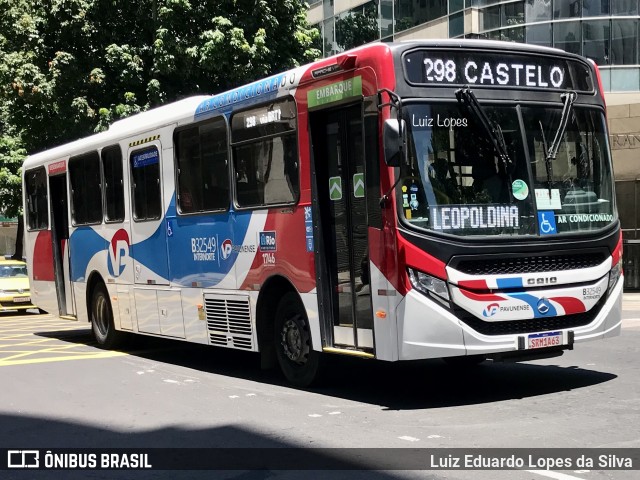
(529,325)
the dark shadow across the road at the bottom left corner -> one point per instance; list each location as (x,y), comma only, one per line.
(220,452)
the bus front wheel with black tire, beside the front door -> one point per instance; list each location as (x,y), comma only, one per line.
(299,362)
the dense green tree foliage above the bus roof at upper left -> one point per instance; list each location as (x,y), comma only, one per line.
(68,68)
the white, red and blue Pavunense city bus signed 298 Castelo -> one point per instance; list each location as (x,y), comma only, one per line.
(426,199)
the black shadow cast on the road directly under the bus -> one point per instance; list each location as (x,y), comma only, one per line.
(396,386)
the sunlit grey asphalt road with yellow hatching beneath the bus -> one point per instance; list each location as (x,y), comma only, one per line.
(58,390)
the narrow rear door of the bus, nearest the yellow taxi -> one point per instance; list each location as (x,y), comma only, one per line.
(60,244)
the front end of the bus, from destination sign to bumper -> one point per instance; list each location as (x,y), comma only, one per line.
(508,237)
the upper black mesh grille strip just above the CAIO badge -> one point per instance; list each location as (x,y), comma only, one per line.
(533,264)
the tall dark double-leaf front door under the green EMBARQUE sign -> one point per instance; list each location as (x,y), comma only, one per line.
(338,155)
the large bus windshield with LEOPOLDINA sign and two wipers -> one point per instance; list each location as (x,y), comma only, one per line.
(456,182)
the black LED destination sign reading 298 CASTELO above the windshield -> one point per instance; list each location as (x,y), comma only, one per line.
(437,67)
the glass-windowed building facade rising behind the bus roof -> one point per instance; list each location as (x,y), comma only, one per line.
(604,30)
